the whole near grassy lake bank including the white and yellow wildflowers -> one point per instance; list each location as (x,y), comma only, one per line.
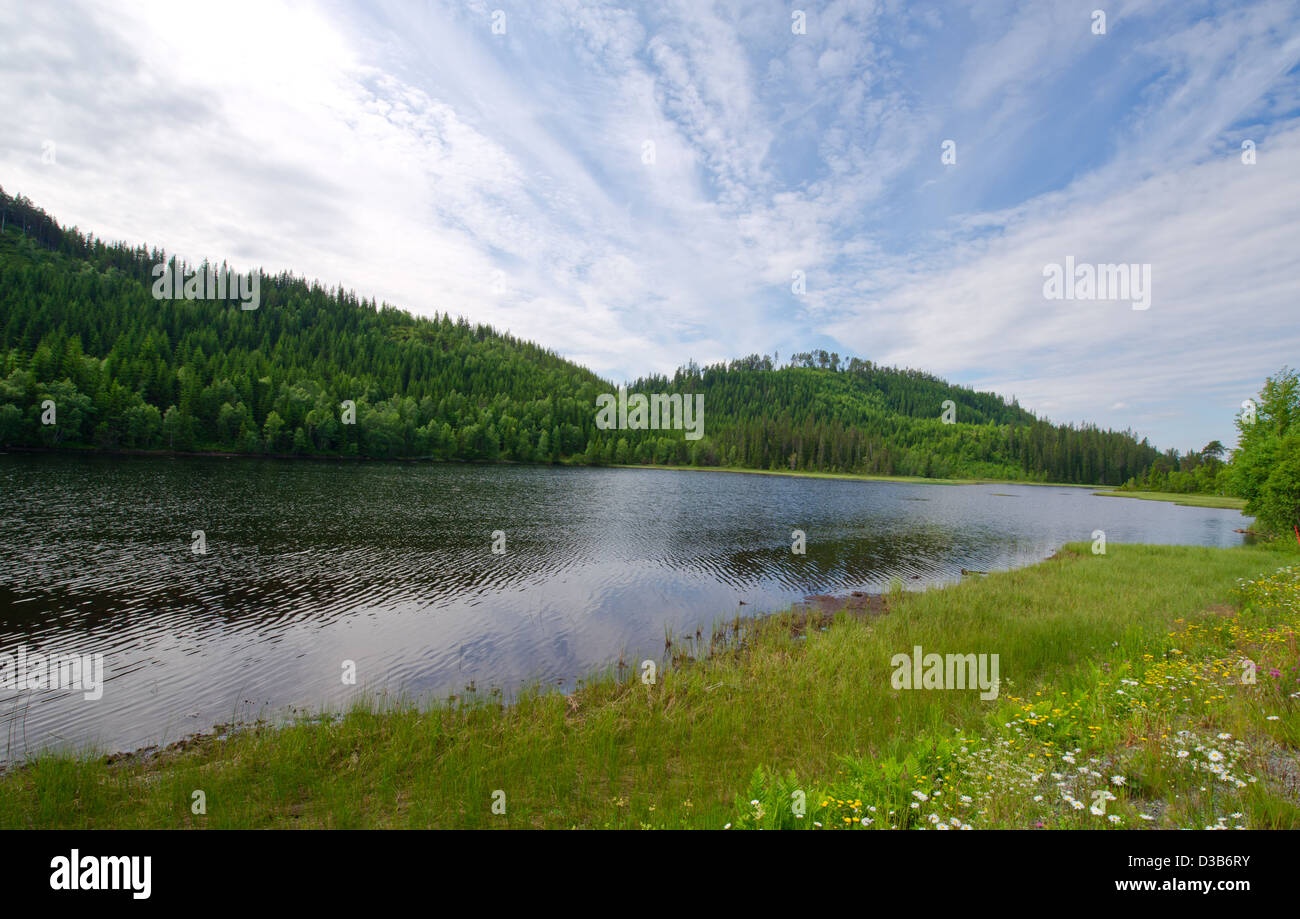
(1104,661)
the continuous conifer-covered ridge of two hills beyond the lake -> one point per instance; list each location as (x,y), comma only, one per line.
(80,327)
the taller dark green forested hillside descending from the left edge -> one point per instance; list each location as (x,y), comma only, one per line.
(81,327)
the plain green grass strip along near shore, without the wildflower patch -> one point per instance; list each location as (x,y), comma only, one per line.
(812,699)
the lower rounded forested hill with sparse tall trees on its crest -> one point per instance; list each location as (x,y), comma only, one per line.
(865,419)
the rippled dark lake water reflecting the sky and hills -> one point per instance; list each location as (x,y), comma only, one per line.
(391,566)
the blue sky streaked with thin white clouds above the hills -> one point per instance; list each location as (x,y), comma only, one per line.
(638,187)
